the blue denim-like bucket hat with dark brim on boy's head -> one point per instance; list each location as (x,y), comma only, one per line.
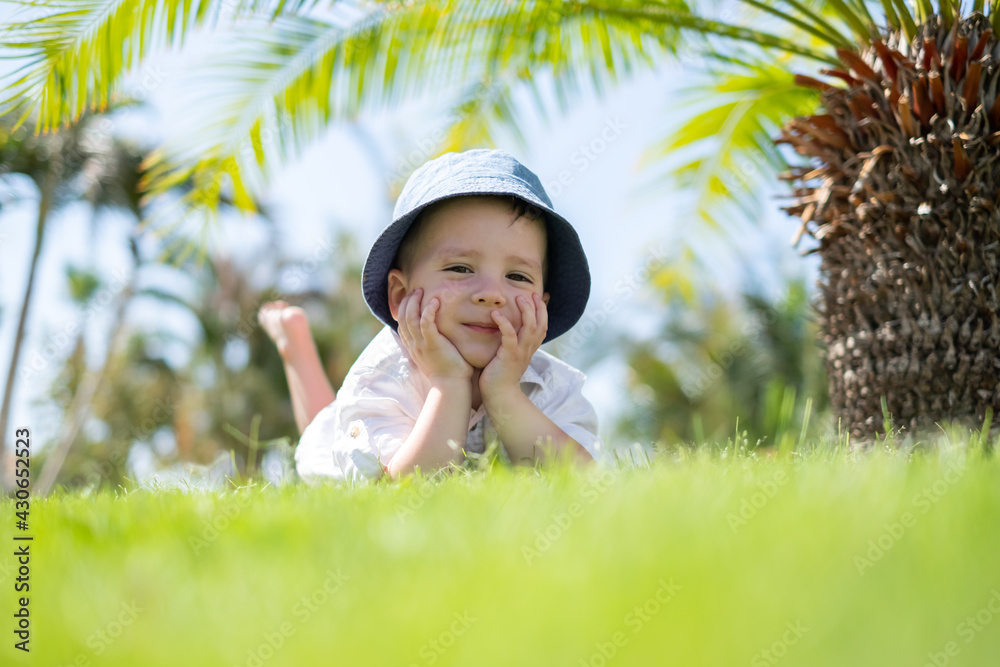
(482,171)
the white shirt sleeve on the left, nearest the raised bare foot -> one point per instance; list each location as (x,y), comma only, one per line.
(369,424)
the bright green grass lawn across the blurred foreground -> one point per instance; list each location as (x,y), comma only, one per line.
(875,558)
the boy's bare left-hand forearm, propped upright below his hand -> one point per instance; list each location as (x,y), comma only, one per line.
(445,416)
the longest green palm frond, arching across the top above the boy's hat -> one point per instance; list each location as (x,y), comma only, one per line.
(287,79)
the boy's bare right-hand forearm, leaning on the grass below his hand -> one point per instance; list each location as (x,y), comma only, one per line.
(524,430)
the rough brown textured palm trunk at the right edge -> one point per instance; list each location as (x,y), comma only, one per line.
(902,196)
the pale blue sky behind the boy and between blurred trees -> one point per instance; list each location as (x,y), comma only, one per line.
(340,181)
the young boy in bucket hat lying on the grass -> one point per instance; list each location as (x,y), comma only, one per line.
(475,272)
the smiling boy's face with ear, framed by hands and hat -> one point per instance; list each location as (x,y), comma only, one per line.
(475,261)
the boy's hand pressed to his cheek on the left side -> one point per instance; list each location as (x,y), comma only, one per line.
(434,354)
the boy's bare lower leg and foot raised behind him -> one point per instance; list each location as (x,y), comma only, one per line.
(308,385)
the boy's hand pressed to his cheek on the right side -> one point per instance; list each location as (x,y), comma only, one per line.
(503,374)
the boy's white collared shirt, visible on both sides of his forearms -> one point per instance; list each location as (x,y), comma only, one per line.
(384,393)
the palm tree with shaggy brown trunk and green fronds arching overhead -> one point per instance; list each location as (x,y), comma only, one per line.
(896,193)
